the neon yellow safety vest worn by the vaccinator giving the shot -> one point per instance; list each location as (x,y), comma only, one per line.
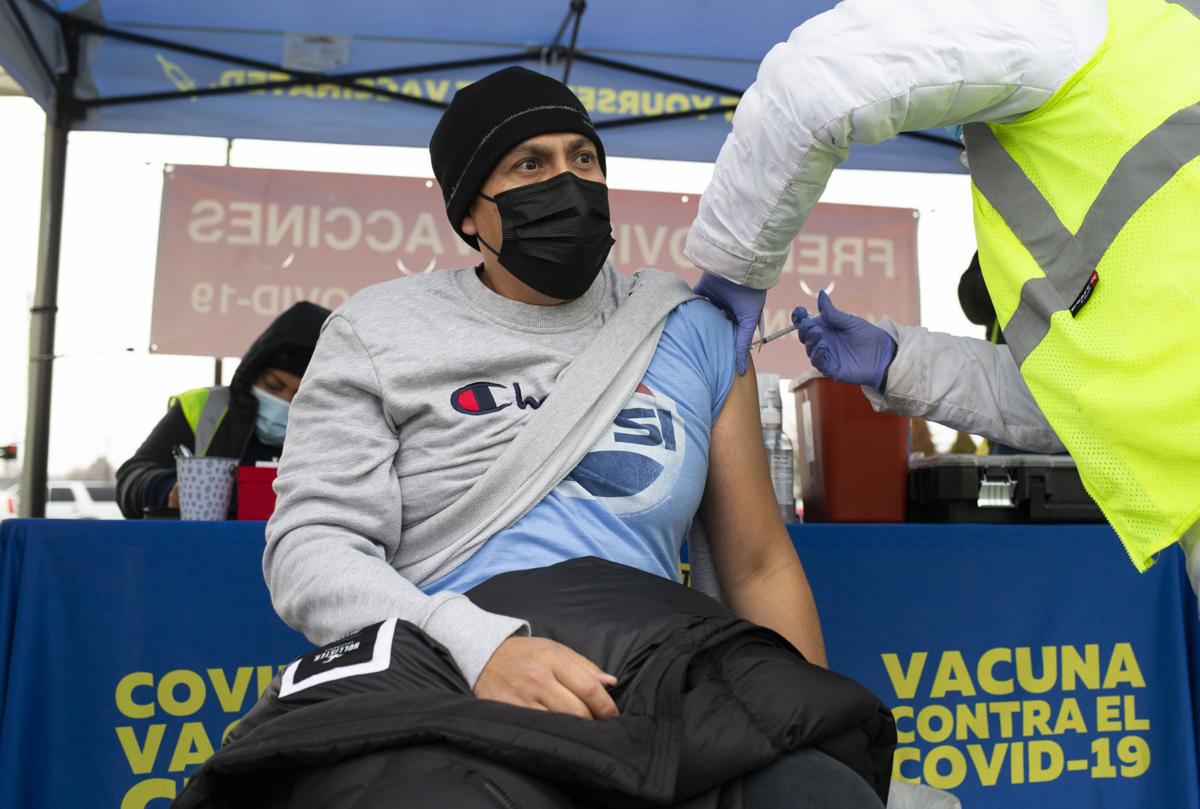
(1088,214)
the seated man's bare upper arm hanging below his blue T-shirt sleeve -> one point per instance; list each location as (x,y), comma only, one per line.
(761,577)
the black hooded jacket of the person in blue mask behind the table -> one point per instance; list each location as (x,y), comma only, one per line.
(146,480)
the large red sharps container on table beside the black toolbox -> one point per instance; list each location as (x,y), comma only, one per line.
(853,462)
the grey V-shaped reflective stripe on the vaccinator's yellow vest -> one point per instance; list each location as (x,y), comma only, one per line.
(1070,260)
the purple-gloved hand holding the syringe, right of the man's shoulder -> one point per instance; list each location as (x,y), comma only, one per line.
(843,346)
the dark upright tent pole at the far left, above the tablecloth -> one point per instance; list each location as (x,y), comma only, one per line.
(41,321)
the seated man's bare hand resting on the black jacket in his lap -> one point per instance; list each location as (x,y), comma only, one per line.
(541,674)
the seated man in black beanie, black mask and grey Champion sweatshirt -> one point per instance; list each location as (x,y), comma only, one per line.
(418,385)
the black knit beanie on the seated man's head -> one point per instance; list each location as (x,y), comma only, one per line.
(485,121)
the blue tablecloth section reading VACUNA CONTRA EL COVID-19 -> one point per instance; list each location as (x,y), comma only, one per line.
(1027,666)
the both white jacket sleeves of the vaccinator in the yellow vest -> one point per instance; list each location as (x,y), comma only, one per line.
(865,73)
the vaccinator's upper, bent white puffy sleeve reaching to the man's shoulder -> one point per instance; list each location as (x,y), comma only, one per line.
(865,73)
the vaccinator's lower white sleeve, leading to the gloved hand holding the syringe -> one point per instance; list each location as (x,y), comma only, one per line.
(969,385)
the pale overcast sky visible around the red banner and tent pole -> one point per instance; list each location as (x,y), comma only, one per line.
(106,400)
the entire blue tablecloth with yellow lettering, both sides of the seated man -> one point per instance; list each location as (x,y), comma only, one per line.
(1028,667)
